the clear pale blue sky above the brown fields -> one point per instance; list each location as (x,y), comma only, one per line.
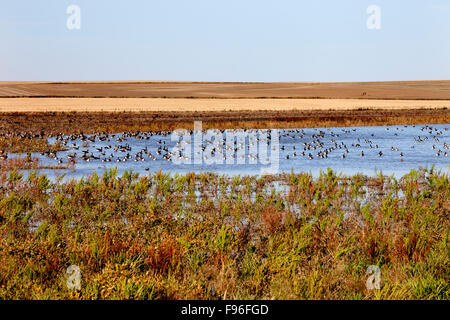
(228,40)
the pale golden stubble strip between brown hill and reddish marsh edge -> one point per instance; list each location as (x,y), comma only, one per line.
(161,104)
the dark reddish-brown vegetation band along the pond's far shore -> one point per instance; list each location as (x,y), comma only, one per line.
(32,124)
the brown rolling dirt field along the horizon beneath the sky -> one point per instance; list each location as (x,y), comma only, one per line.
(402,90)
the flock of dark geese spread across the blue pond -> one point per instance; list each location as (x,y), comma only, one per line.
(307,144)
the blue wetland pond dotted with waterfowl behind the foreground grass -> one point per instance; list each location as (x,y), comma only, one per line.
(348,150)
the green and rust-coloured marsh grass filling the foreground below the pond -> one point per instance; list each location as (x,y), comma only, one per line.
(205,236)
